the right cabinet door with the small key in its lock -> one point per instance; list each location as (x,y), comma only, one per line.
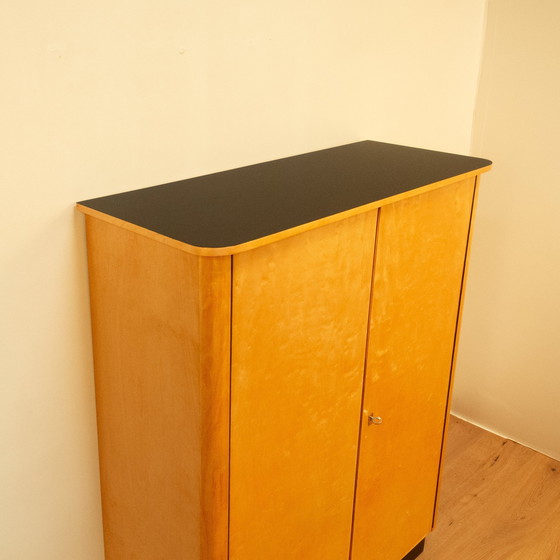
(419,263)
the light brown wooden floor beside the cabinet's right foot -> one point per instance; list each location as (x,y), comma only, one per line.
(499,500)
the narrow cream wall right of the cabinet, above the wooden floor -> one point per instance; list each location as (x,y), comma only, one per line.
(508,376)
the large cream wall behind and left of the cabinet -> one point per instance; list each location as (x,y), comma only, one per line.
(101,97)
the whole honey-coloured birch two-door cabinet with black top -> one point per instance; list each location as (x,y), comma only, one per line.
(274,350)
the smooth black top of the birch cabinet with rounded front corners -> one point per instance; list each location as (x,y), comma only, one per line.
(233,207)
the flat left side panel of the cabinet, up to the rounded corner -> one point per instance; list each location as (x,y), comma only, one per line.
(148,356)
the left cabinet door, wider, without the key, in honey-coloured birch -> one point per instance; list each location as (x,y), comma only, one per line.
(300,313)
